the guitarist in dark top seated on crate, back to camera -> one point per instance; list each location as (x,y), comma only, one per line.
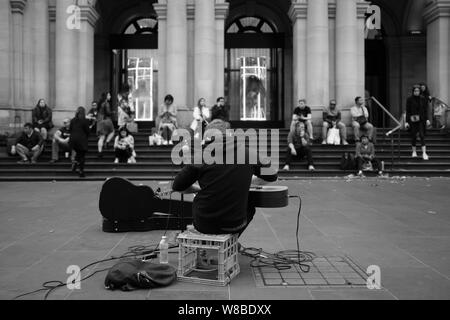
(221,205)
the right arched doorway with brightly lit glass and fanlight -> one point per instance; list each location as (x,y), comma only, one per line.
(254,64)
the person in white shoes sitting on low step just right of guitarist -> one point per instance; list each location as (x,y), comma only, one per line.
(299,145)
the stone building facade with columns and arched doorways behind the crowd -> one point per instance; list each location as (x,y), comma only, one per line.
(262,55)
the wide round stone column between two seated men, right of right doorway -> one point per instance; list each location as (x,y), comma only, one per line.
(317,54)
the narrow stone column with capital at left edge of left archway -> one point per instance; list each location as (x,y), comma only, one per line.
(89,17)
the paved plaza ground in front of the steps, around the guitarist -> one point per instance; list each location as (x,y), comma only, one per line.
(400,225)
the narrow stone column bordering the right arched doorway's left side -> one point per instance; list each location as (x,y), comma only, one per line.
(221,12)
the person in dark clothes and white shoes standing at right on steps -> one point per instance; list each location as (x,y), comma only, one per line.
(417,120)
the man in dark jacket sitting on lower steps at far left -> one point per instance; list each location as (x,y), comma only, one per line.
(29,144)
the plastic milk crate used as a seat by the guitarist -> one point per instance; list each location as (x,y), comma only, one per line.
(207,259)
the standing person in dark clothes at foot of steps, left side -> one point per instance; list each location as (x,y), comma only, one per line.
(79,134)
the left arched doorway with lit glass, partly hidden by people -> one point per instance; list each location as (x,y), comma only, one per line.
(135,65)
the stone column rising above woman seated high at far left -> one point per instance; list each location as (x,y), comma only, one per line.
(41,44)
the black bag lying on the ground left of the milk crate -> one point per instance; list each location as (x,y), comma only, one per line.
(134,274)
